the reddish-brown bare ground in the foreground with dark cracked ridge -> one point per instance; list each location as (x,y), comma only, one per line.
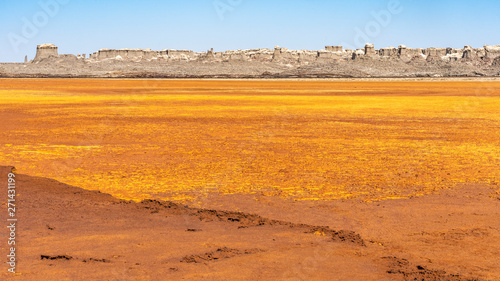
(67,233)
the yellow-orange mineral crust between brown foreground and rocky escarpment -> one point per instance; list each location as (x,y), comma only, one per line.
(180,140)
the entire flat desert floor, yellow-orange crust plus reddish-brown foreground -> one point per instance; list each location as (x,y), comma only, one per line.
(253,179)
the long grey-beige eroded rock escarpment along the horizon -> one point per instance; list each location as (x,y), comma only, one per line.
(332,62)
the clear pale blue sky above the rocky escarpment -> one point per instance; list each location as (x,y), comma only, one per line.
(86,26)
